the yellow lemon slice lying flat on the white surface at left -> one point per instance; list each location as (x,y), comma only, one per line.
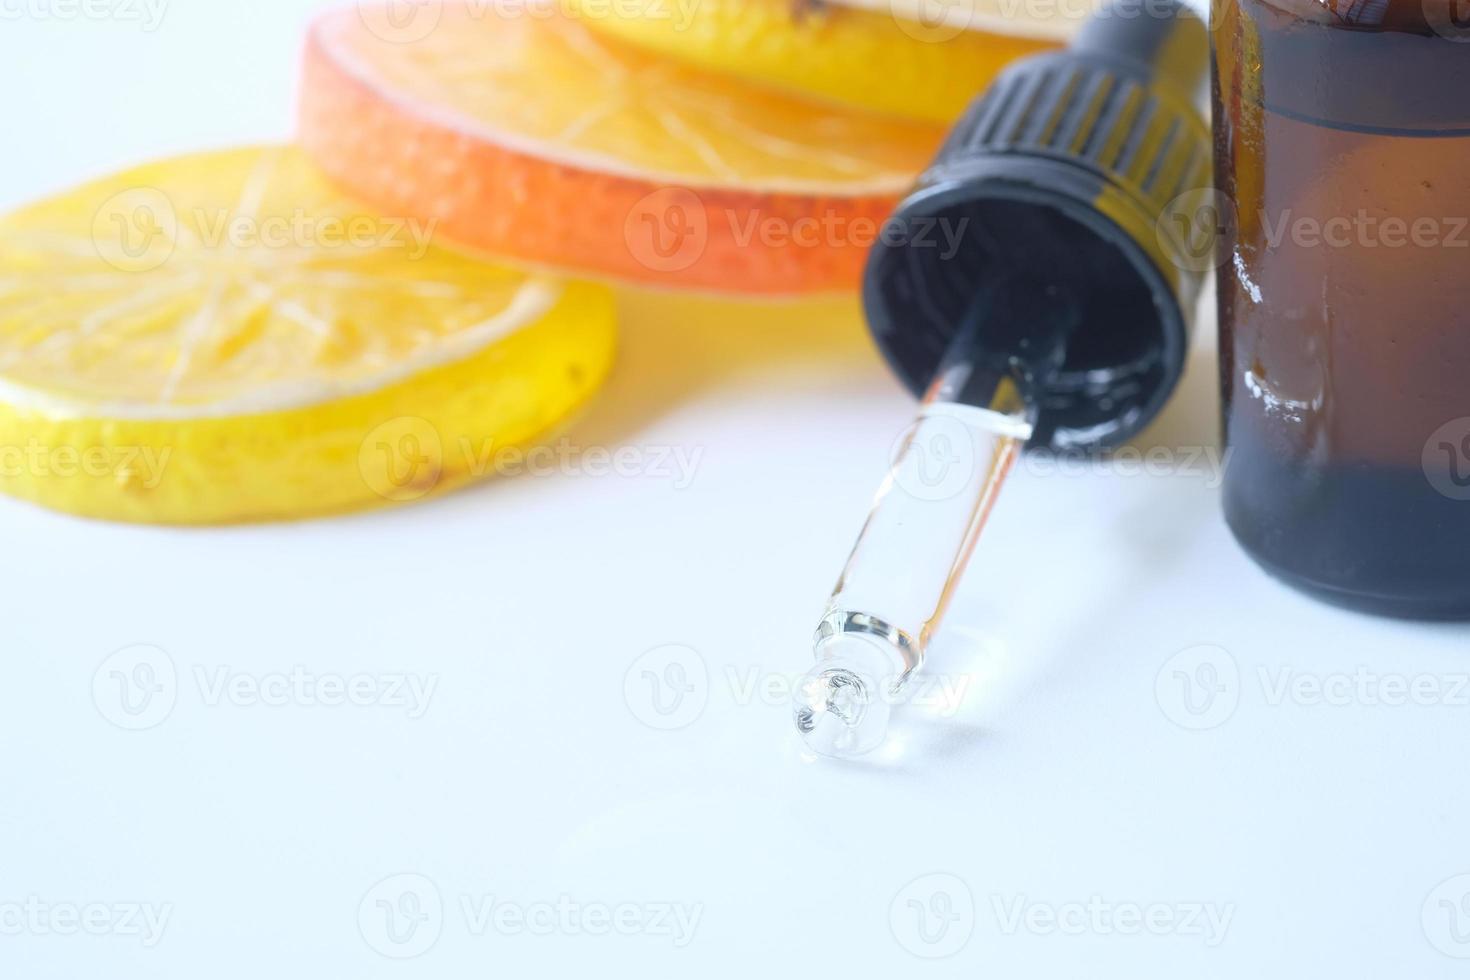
(224,337)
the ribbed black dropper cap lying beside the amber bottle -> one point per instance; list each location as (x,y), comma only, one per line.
(1065,176)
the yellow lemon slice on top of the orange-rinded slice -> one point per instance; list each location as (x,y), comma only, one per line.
(902,60)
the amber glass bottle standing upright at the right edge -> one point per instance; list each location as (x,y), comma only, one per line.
(1343,151)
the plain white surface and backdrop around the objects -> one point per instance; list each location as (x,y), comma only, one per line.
(1330,834)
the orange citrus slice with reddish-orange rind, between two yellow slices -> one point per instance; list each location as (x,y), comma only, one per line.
(530,137)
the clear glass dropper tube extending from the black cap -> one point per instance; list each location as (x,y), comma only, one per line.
(919,537)
